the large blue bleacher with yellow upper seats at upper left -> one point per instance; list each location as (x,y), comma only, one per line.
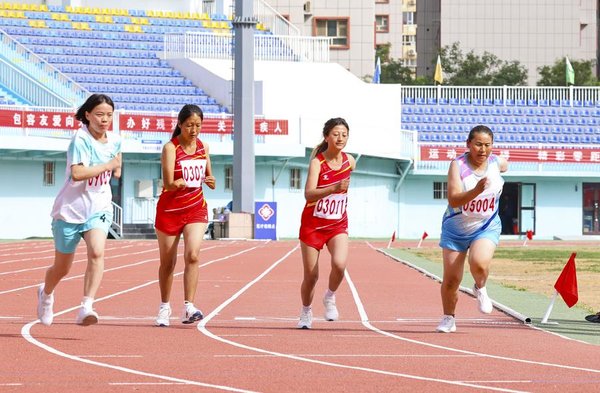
(114,51)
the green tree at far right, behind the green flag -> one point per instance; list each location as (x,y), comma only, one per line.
(555,75)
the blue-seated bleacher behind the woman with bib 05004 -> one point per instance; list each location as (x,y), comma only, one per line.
(513,121)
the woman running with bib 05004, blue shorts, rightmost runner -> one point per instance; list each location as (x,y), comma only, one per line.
(471,223)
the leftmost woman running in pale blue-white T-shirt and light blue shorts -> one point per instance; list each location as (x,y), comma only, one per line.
(83,207)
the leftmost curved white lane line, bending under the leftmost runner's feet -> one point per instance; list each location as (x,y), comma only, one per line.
(26,333)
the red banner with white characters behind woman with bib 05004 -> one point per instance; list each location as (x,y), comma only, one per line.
(558,154)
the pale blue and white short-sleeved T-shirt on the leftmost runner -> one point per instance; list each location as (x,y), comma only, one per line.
(78,200)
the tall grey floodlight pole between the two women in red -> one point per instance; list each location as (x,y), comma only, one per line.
(243,108)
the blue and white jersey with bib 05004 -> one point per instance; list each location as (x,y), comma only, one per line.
(481,211)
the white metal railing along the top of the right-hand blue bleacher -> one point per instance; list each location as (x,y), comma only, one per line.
(505,94)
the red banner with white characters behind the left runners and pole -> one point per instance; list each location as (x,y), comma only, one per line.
(131,122)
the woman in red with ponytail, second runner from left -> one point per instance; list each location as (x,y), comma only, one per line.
(182,209)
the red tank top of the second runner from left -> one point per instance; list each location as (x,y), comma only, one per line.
(182,199)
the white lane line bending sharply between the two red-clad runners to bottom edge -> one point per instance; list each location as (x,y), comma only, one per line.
(202,328)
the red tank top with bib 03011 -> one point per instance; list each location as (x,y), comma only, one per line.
(329,210)
